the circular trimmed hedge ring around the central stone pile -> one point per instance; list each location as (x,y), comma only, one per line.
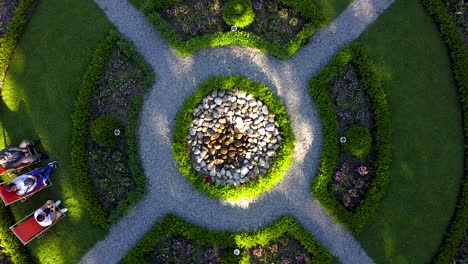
(284,153)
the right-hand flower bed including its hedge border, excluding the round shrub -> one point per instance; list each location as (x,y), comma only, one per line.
(362,201)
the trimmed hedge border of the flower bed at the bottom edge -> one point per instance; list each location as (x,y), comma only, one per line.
(172,225)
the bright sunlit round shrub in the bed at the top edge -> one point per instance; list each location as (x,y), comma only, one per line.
(238,13)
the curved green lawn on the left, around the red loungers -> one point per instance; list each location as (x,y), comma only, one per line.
(39,98)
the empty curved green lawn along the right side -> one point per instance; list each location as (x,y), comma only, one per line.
(427,137)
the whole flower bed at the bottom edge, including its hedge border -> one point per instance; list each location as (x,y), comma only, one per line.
(176,240)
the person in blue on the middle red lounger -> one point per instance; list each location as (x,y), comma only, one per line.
(25,183)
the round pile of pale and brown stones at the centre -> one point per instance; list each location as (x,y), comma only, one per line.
(233,138)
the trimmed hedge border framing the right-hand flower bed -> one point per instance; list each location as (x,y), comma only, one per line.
(356,56)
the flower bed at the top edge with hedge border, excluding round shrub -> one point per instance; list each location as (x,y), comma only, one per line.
(280,28)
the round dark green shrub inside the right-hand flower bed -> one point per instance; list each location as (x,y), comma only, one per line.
(358,141)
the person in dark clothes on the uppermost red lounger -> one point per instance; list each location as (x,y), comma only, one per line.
(13,157)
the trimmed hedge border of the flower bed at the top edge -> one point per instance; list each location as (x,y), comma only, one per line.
(184,48)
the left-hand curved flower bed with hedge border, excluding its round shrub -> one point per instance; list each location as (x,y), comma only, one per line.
(113,84)
